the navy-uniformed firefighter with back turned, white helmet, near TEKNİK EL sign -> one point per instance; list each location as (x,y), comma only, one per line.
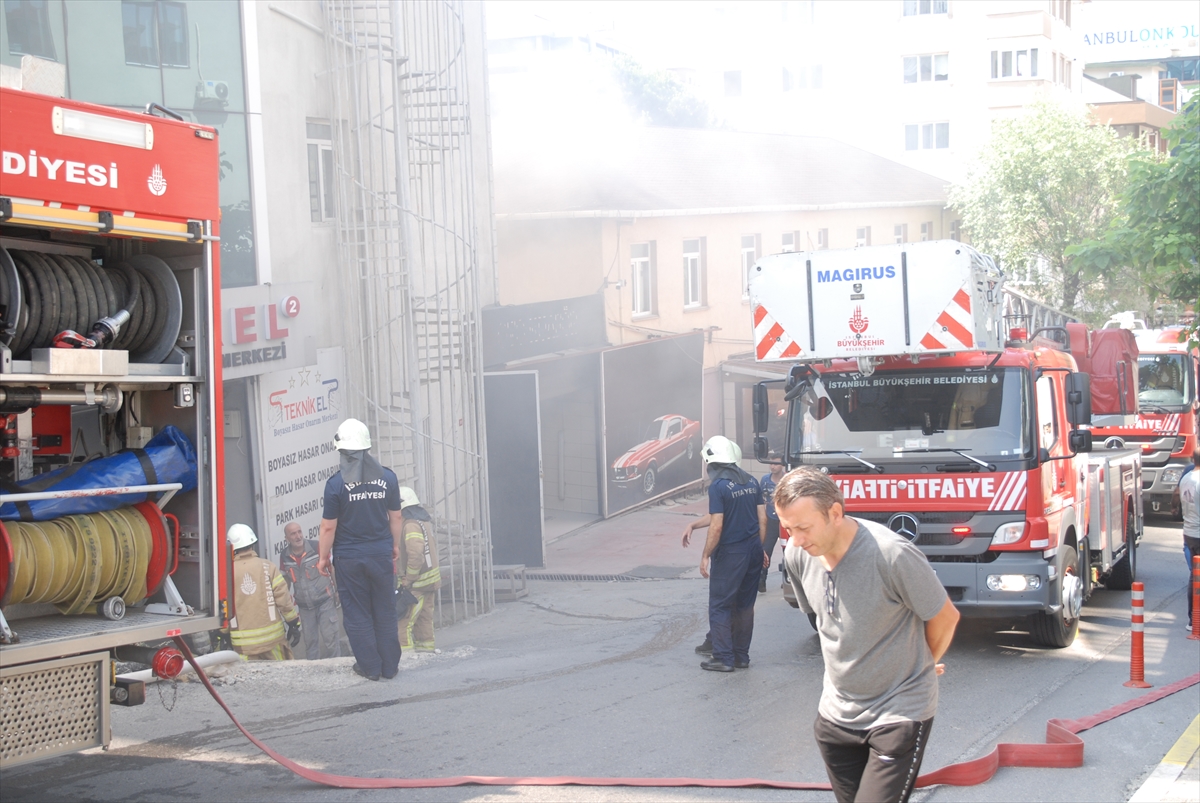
(361,531)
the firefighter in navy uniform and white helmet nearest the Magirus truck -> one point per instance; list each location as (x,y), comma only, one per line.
(734,556)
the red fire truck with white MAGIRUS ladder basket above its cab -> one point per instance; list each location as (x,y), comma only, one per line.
(970,441)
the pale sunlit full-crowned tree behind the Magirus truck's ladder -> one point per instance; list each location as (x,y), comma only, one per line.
(1046,182)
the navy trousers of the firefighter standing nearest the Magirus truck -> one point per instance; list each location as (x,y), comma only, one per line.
(733,592)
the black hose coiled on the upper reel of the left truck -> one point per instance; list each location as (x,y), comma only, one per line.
(46,295)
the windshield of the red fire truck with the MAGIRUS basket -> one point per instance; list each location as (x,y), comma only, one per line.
(985,414)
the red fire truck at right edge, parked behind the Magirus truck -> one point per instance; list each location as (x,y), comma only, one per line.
(1166,426)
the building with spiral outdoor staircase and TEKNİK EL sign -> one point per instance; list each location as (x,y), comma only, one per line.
(303,347)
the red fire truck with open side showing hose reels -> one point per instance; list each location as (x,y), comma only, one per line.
(111,463)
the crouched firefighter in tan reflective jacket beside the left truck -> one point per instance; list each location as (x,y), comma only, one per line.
(266,620)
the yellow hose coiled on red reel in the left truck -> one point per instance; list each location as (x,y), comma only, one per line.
(89,564)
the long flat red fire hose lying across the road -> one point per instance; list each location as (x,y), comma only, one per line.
(1063,748)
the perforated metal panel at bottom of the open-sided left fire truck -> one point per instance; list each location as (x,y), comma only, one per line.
(53,708)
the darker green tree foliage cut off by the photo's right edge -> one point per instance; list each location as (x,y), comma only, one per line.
(1157,225)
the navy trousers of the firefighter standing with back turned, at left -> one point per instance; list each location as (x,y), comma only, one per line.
(368,590)
